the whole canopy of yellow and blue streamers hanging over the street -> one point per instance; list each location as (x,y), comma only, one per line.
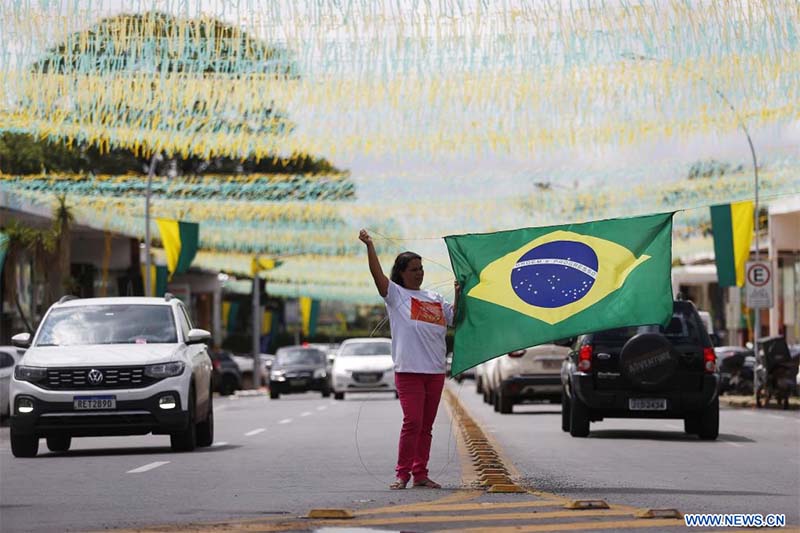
(490,115)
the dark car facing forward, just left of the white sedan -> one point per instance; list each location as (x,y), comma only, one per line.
(299,369)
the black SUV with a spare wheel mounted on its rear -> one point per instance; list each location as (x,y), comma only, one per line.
(643,372)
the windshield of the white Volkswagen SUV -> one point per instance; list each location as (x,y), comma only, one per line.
(108,324)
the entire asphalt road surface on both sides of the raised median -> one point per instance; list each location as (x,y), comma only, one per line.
(273,461)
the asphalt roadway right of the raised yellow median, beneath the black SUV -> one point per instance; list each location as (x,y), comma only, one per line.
(754,466)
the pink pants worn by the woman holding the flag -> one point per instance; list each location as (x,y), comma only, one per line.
(419,398)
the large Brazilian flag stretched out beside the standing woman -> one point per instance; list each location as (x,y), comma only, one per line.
(531,286)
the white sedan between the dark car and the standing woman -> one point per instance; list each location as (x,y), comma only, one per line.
(363,365)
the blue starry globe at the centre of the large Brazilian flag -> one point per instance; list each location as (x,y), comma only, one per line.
(555,274)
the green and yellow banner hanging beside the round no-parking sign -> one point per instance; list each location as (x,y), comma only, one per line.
(732,226)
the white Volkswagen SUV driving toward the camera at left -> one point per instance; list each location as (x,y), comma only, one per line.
(112,366)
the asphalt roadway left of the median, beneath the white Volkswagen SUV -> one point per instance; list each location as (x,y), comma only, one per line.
(270,458)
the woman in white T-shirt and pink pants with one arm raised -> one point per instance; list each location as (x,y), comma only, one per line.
(418,320)
